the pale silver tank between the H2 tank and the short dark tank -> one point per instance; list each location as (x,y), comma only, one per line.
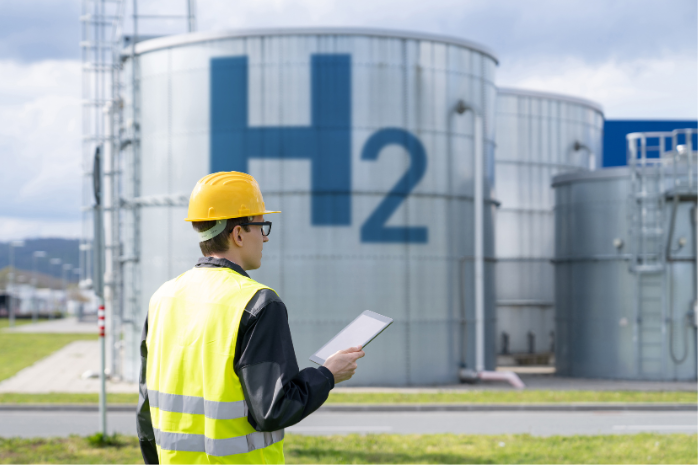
(539,135)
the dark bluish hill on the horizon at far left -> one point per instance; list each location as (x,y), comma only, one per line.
(65,249)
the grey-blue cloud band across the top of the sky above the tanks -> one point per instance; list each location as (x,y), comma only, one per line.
(592,30)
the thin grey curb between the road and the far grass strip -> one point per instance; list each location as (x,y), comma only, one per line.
(625,407)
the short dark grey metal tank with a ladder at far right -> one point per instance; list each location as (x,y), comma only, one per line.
(625,268)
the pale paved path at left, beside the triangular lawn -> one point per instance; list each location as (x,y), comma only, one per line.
(63,371)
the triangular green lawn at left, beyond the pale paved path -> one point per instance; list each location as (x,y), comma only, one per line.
(20,350)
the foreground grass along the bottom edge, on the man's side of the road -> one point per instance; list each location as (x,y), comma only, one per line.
(385,448)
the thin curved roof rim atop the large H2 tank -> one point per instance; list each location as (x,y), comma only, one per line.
(185,39)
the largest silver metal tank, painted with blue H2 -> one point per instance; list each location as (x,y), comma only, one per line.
(358,137)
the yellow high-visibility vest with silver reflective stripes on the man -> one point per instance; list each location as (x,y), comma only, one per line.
(198,409)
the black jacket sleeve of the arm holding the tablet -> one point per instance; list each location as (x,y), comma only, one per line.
(278,395)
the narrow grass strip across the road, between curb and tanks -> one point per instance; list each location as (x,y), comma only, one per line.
(473,397)
